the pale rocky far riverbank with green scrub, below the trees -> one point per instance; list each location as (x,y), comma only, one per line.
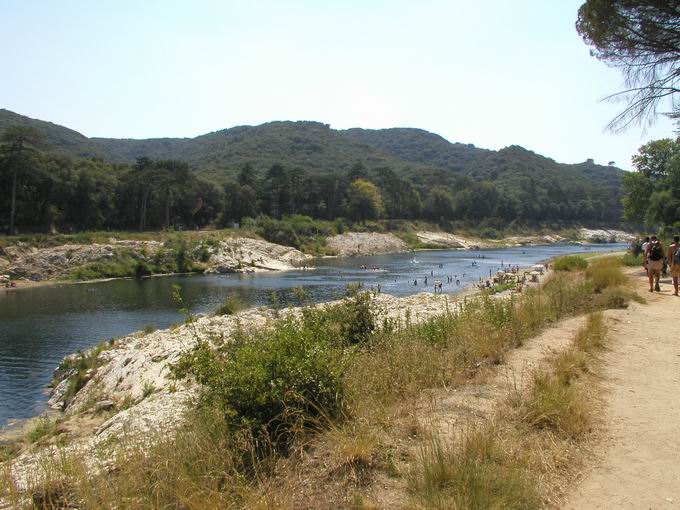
(118,258)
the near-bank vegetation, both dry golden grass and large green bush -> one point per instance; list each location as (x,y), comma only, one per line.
(321,396)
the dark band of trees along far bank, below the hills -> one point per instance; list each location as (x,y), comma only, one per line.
(46,190)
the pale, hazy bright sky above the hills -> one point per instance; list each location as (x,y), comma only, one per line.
(493,73)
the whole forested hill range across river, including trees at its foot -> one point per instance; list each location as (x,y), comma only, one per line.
(287,168)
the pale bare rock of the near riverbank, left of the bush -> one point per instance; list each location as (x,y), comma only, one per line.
(125,388)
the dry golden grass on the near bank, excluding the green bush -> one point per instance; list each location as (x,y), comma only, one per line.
(207,465)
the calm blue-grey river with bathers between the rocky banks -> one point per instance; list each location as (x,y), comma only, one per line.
(39,326)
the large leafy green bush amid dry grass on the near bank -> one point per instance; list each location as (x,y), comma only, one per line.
(274,380)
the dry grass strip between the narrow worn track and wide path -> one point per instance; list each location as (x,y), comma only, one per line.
(521,458)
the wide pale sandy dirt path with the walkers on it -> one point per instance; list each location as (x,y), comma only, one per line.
(637,465)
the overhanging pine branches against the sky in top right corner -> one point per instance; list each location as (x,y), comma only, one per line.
(642,38)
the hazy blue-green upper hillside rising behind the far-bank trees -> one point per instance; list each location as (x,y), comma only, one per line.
(317,148)
